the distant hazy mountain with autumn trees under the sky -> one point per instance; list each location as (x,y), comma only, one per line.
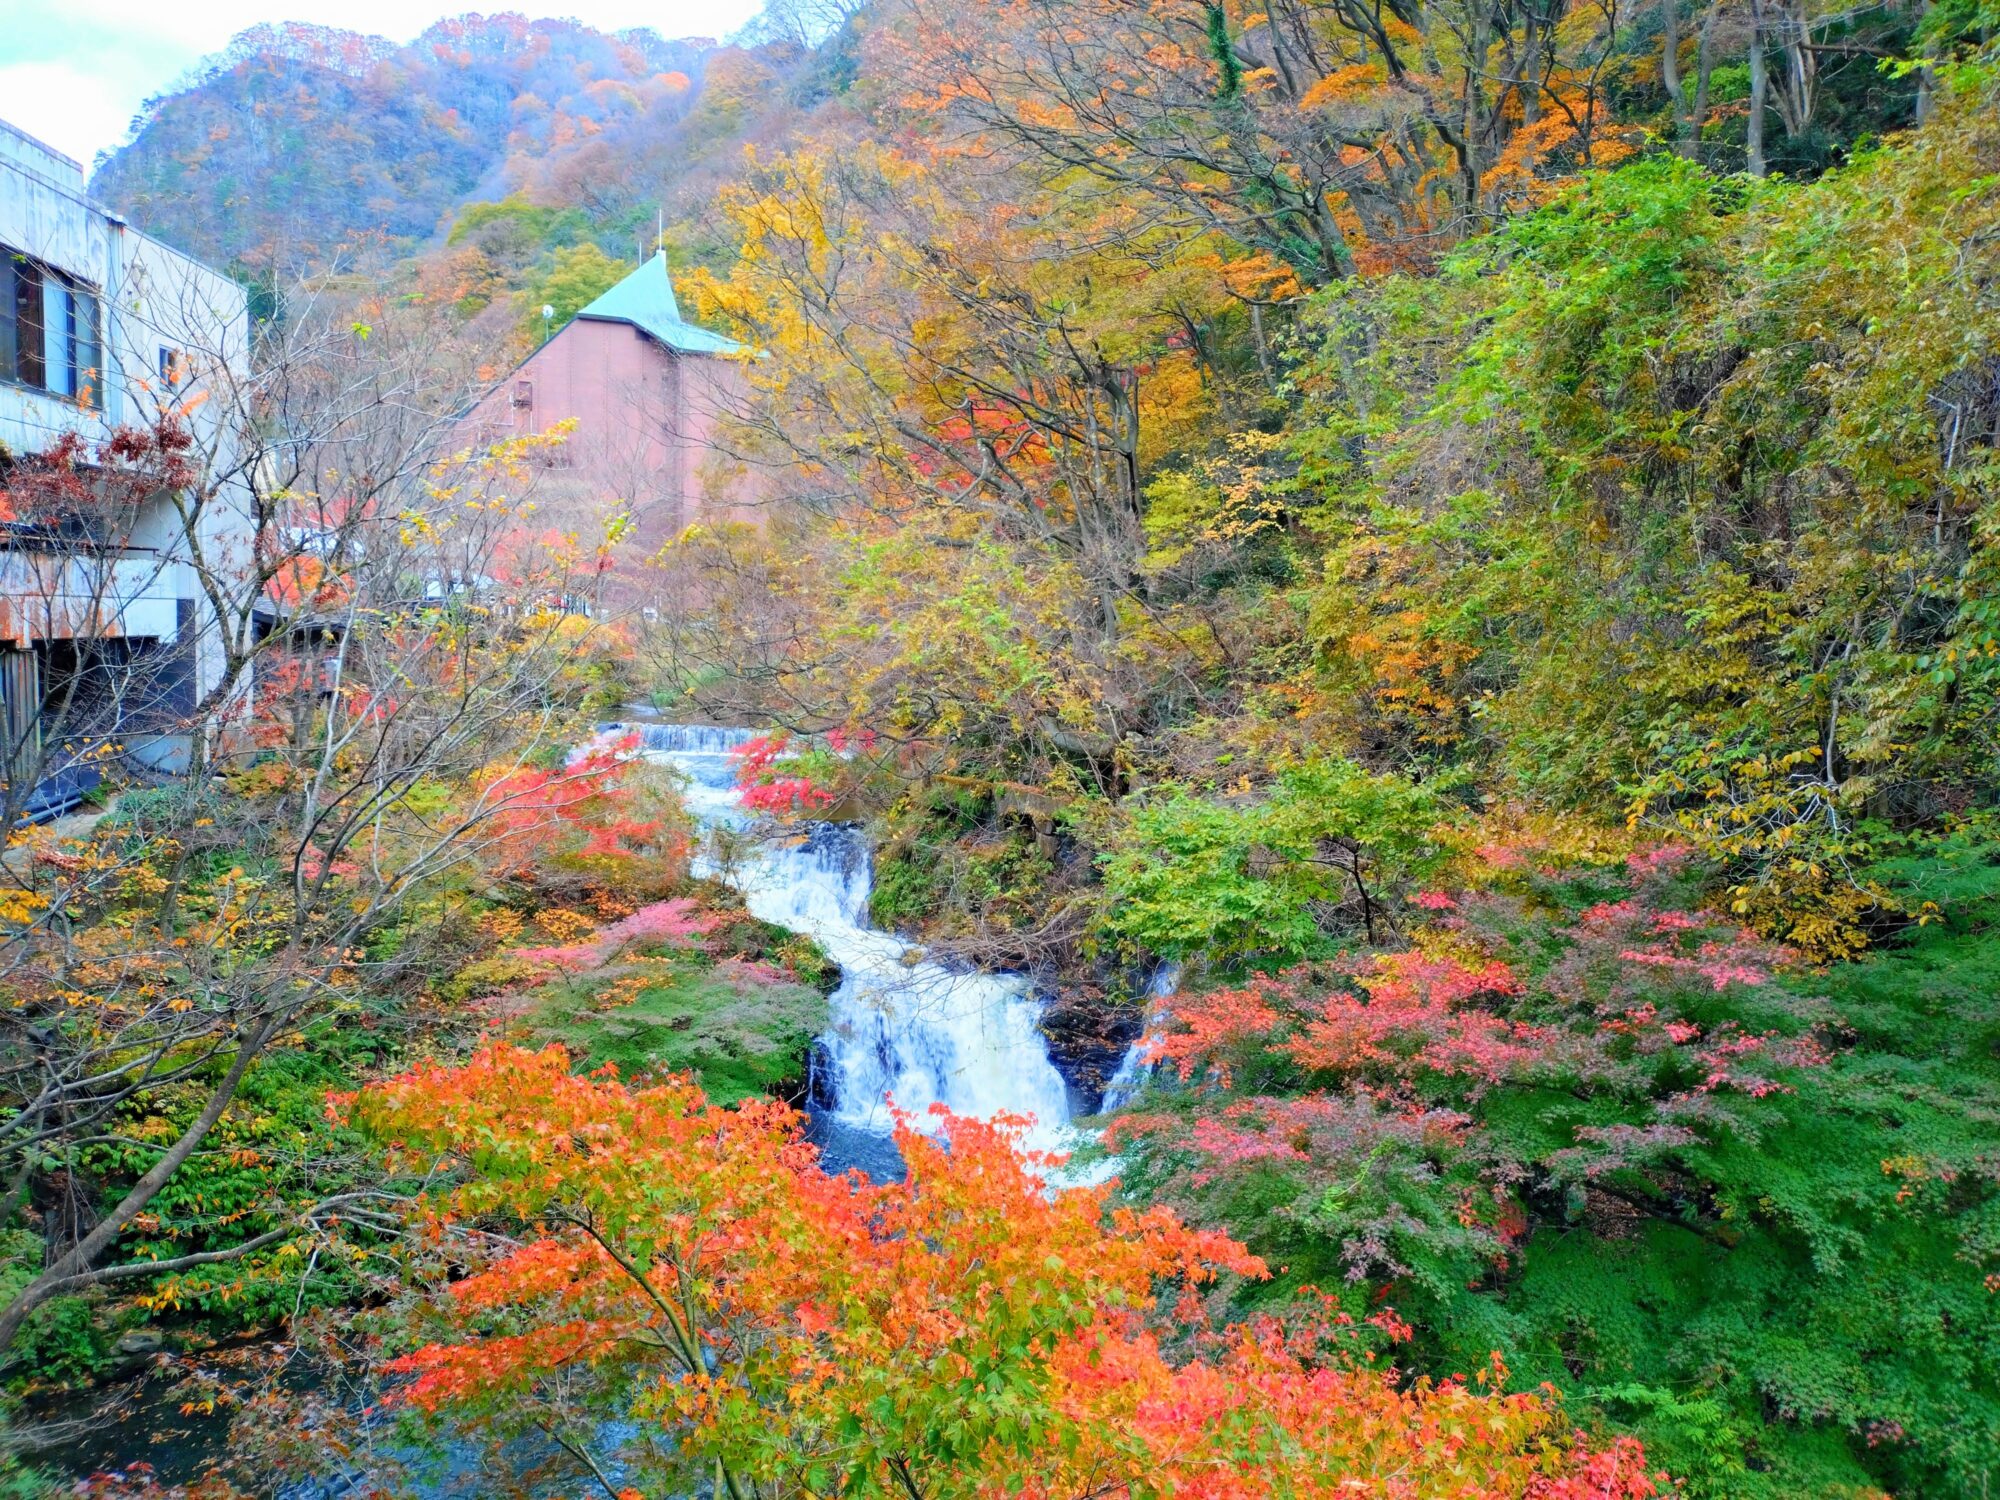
(303,141)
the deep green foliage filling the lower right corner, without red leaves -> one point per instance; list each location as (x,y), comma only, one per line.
(1839,1317)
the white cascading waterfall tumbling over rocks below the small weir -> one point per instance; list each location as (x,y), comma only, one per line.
(905,1031)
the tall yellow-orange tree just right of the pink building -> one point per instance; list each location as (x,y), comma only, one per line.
(943,387)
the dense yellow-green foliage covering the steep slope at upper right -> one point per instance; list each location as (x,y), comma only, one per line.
(1727,551)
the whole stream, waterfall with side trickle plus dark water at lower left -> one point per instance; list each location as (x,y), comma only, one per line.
(905,1033)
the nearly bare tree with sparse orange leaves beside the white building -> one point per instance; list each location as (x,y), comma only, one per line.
(383,597)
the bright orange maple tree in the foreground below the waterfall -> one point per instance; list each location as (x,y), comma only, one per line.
(961,1333)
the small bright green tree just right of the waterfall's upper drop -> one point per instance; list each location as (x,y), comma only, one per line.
(1275,879)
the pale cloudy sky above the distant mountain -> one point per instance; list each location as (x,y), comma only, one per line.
(73,73)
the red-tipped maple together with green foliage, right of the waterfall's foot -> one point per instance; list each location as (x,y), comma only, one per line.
(1783,1283)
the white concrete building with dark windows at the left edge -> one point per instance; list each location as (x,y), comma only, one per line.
(105,329)
